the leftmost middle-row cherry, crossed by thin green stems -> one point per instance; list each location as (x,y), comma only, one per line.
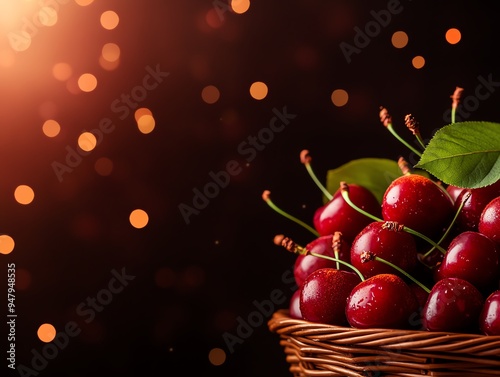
(306,264)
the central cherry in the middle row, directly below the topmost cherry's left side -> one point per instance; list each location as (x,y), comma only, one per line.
(397,247)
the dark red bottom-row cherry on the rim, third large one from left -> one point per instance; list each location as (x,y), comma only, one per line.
(453,305)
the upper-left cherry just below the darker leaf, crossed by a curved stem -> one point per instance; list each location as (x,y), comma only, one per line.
(338,215)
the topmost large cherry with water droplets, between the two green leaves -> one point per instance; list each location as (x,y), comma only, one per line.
(418,203)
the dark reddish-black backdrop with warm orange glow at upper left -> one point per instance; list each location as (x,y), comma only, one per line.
(194,283)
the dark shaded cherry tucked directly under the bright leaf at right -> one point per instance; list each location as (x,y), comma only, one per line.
(468,218)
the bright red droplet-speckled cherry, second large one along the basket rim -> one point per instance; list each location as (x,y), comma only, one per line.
(382,301)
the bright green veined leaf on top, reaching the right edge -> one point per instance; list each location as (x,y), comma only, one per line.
(464,154)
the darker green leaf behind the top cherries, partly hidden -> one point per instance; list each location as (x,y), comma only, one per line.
(375,174)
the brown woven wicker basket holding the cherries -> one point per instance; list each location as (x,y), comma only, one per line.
(315,349)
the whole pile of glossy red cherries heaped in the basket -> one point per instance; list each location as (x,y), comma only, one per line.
(427,257)
